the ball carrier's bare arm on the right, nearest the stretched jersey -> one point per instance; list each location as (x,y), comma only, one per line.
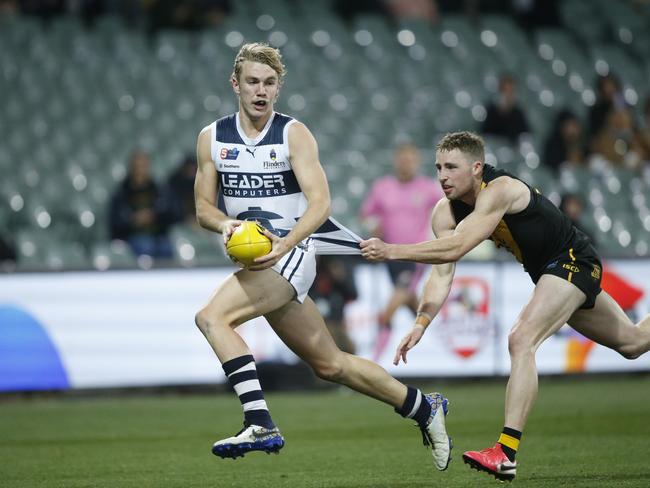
(311,178)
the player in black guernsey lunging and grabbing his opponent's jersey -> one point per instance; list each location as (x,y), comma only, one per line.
(488,203)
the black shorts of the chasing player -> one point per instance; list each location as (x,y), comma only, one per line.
(581,267)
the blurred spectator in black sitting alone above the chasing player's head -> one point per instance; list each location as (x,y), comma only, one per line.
(504,116)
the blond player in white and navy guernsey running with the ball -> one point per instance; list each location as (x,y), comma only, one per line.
(258,164)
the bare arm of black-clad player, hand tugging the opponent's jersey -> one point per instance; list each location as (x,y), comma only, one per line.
(492,203)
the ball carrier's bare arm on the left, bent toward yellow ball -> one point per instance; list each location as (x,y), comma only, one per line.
(206,185)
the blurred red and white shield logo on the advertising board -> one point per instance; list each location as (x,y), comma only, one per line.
(465,320)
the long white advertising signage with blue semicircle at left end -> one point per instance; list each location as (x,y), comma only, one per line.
(136,328)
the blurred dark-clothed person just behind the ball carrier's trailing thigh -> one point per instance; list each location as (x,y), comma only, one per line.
(334,287)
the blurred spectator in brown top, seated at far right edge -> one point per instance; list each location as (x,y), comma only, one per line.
(618,143)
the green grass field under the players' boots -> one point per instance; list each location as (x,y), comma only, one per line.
(582,433)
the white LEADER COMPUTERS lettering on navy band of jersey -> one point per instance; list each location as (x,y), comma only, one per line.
(247,185)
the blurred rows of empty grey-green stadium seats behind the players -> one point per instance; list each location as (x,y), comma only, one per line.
(362,91)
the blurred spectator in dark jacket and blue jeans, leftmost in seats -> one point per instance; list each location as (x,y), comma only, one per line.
(141,212)
